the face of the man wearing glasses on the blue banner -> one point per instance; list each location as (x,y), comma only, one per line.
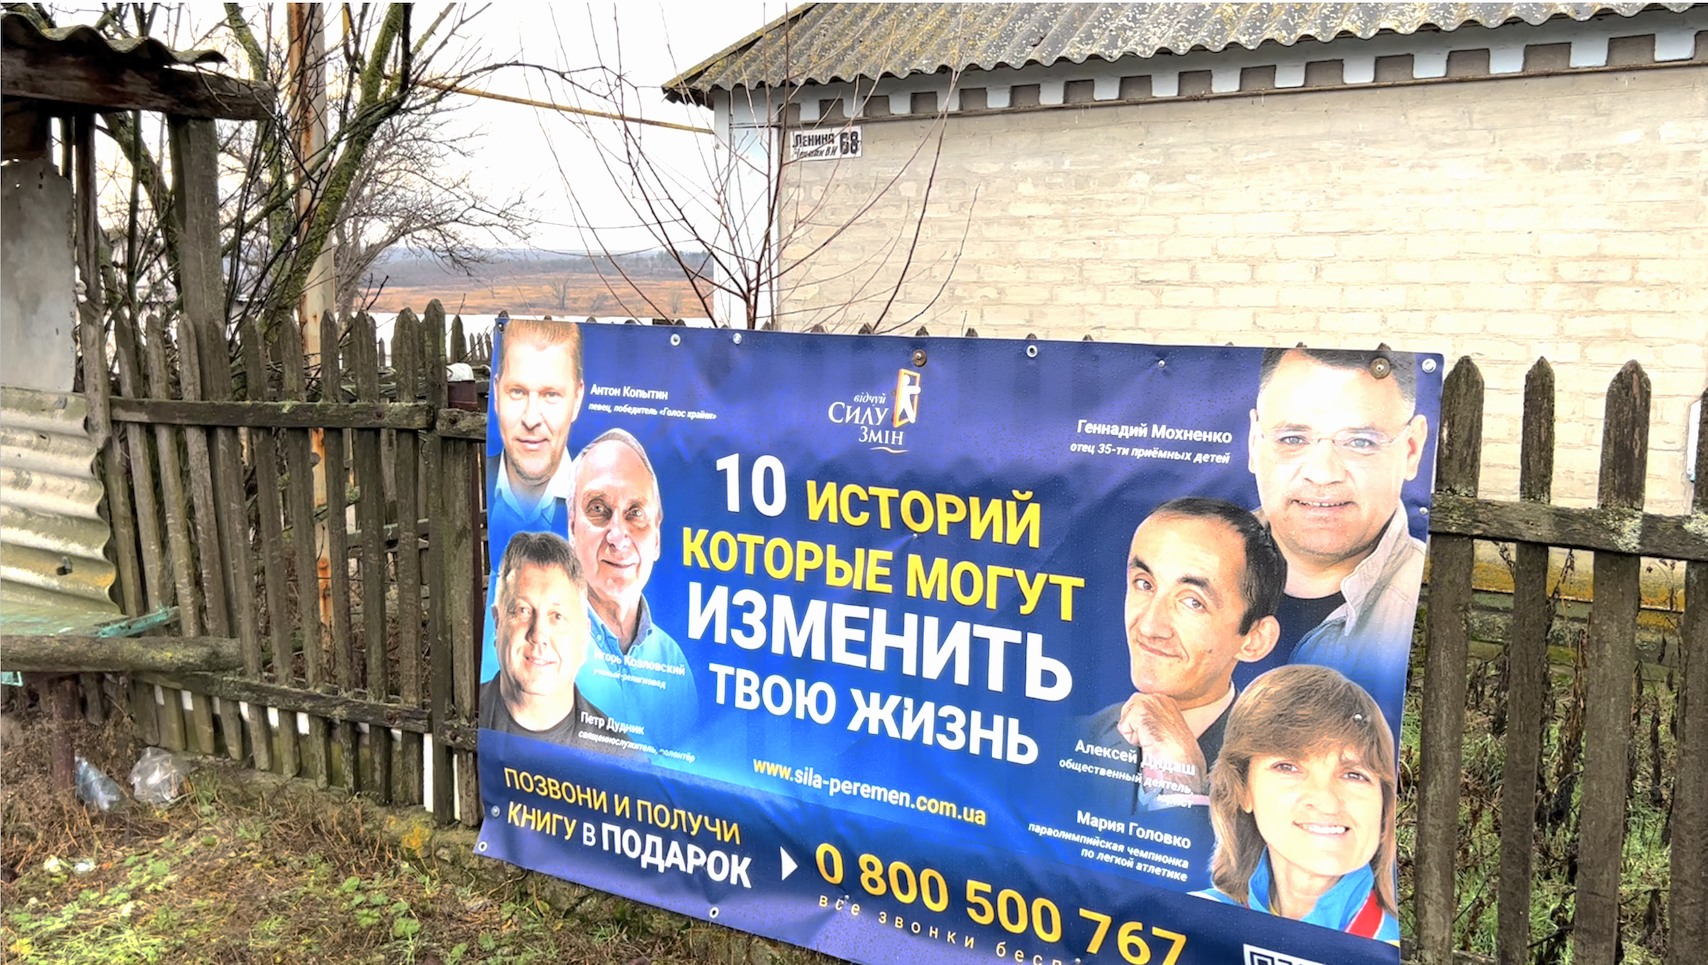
(1331,450)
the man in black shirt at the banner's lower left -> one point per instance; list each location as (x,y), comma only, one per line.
(542,641)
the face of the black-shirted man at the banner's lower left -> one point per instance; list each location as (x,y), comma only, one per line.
(542,635)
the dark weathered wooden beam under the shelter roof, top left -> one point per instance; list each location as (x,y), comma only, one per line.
(117,86)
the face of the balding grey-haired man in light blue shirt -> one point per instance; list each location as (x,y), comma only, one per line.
(617,523)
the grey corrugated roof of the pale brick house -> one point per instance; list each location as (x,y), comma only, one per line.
(826,44)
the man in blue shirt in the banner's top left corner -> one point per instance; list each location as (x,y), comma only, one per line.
(537,392)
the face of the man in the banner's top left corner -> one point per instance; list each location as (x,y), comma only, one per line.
(535,397)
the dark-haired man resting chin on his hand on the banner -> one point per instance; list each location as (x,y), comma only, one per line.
(1203,585)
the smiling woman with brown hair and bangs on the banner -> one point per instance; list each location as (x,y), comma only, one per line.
(1302,800)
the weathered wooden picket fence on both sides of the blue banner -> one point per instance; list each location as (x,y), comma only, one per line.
(368,665)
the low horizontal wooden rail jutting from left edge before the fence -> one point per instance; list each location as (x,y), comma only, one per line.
(119,655)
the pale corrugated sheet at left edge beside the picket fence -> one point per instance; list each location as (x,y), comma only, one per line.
(54,571)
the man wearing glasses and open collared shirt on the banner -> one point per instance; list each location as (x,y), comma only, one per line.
(1335,438)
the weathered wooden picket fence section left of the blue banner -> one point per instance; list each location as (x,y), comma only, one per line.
(354,614)
